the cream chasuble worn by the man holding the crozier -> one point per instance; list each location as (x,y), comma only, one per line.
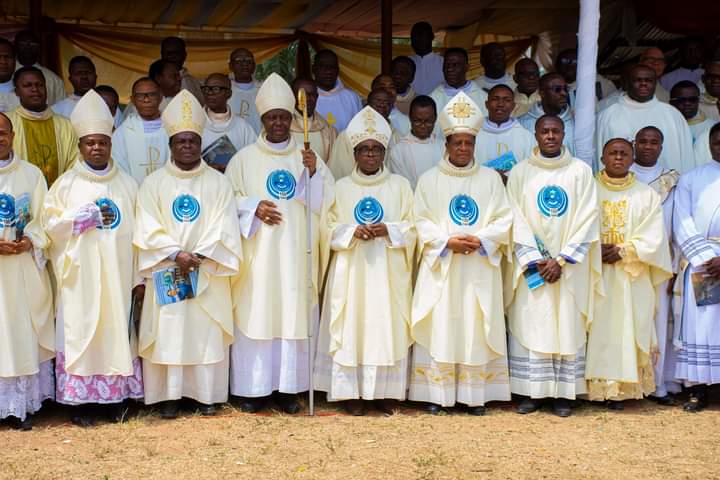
(260,172)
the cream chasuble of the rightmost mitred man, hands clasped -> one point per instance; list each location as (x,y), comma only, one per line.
(457,312)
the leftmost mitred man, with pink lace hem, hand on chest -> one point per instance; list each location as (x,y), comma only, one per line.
(89,215)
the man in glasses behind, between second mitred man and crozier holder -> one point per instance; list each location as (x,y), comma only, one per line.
(225,132)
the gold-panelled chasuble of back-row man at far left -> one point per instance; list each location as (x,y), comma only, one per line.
(47,140)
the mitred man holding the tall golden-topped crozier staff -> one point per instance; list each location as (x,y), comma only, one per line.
(270,299)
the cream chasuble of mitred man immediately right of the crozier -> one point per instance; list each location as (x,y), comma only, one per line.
(366,316)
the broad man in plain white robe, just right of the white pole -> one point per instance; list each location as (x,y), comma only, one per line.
(638,108)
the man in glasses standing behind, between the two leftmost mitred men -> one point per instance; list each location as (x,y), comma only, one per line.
(140,144)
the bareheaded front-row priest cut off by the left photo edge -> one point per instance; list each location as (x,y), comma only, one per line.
(27,336)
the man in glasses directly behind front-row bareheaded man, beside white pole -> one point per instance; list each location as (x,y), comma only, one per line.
(553,101)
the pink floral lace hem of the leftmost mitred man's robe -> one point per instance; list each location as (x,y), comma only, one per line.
(77,390)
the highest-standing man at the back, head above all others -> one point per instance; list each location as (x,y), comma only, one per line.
(429,71)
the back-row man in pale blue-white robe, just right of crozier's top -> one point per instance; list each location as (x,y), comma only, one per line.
(336,103)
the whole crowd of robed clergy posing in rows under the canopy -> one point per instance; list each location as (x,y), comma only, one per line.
(458,252)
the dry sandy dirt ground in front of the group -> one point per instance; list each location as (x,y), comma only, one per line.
(644,441)
